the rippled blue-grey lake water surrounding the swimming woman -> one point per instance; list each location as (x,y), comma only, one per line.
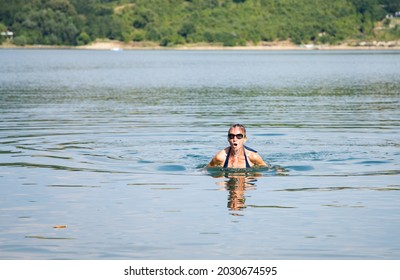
(102,154)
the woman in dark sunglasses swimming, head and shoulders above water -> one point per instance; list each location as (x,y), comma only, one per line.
(237,155)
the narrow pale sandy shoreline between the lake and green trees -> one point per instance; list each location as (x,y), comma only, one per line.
(265,46)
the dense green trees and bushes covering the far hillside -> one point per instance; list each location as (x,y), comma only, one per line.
(171,22)
